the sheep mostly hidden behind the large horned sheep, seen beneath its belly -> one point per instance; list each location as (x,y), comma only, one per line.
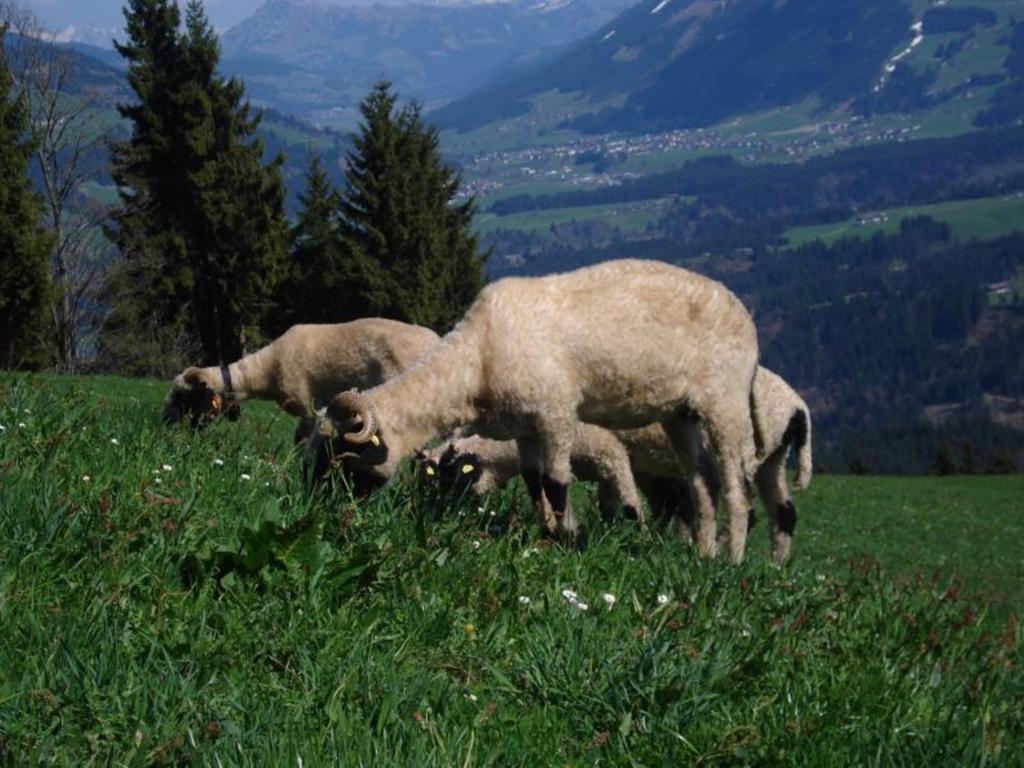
(613,459)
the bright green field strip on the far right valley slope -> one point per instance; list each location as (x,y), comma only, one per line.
(983,218)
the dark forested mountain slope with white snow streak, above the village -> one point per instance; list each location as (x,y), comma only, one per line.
(682,64)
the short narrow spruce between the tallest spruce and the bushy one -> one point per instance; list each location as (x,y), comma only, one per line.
(318,275)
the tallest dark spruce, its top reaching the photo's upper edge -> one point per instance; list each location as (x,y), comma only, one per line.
(201,223)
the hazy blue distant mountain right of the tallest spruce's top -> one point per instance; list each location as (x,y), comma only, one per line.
(317,60)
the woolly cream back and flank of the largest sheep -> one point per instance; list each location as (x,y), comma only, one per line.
(623,332)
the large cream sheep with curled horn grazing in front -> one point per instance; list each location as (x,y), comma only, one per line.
(619,345)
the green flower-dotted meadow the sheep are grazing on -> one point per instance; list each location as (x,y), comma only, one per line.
(170,599)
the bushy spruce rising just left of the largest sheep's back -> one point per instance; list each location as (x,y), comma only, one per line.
(415,258)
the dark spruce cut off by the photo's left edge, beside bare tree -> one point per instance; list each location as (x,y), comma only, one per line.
(25,279)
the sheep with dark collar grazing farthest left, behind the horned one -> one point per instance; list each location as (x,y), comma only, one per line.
(302,369)
